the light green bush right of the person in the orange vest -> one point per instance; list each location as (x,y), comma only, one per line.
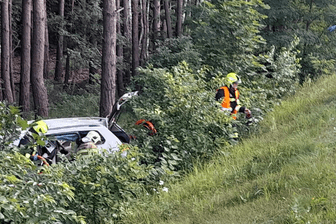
(275,74)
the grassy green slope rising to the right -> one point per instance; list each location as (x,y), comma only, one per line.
(285,174)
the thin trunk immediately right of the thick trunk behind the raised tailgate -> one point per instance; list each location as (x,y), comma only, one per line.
(120,70)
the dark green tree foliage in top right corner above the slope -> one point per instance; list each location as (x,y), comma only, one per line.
(309,21)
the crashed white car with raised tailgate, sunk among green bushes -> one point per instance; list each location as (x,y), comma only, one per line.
(69,131)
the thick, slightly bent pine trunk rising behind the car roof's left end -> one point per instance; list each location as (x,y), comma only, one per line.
(39,91)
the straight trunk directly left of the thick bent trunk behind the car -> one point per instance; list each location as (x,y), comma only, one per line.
(24,99)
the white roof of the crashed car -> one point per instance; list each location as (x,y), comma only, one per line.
(61,123)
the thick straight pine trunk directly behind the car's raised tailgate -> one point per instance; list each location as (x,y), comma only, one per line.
(108,82)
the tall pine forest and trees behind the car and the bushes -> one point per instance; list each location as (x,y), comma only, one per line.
(160,33)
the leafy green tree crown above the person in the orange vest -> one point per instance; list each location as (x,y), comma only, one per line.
(226,33)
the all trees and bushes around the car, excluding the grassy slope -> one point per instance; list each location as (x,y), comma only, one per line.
(177,60)
